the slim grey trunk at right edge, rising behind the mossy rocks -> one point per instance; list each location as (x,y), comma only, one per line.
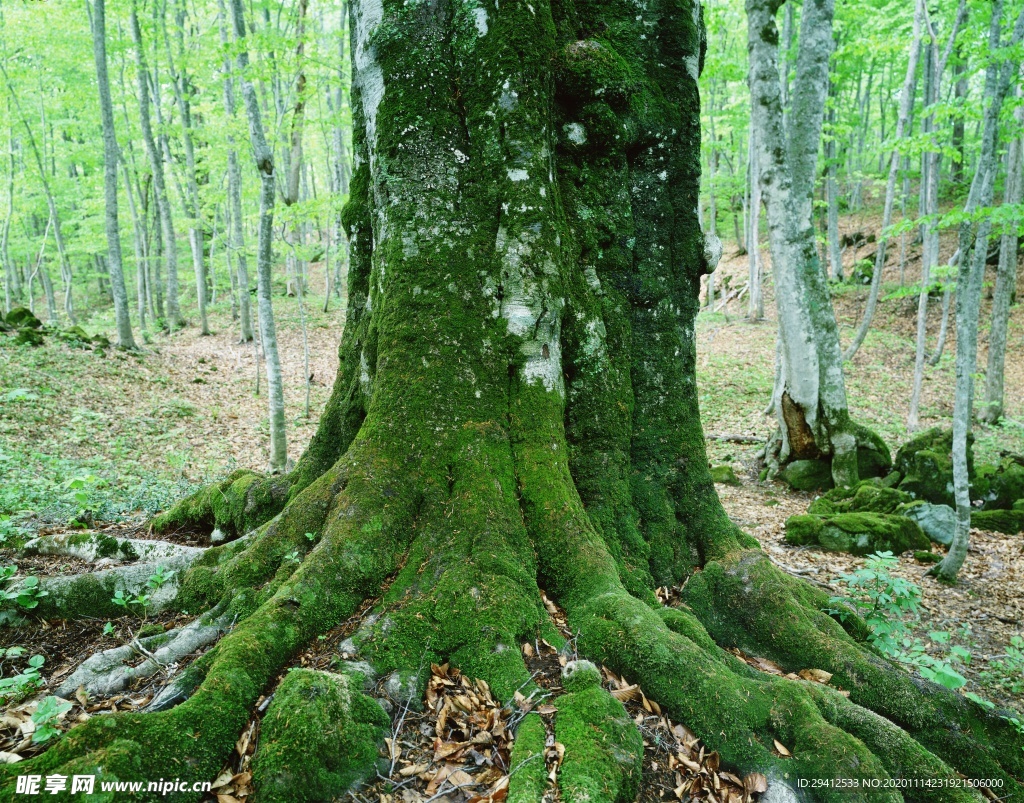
(1006,278)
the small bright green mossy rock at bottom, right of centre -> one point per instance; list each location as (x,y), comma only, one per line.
(604,748)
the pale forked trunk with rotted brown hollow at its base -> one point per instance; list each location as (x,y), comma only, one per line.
(810,397)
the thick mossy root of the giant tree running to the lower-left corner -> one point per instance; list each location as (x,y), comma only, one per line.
(365,535)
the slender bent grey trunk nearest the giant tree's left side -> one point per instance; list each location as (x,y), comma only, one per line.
(265,164)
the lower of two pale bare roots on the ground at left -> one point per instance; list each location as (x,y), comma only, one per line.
(111,671)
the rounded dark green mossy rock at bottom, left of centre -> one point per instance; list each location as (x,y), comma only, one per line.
(319,738)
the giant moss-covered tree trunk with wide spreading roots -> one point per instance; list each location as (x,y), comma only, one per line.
(517,409)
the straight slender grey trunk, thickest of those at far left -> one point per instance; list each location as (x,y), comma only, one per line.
(111,160)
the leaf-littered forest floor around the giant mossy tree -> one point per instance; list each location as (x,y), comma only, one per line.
(108,439)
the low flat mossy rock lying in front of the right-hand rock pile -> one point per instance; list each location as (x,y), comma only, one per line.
(860,534)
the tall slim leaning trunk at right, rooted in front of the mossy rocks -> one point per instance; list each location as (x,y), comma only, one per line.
(969,281)
